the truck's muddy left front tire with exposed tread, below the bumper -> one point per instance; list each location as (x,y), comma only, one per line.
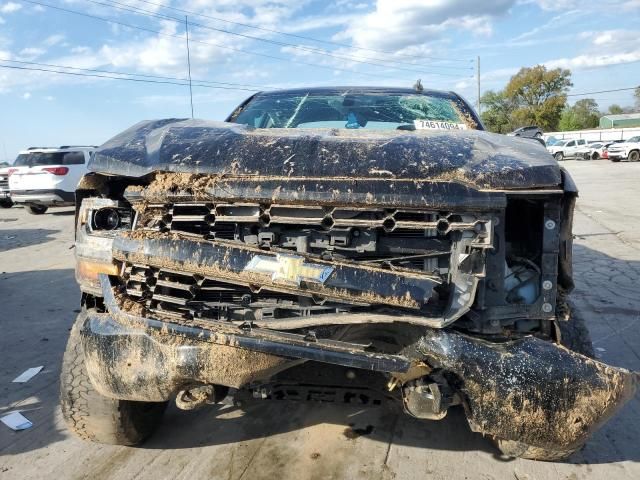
(95,417)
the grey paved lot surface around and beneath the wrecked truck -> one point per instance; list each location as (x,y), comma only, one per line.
(39,298)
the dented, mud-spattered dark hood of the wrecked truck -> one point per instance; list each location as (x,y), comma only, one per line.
(478,159)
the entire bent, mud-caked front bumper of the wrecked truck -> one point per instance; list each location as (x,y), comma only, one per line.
(528,390)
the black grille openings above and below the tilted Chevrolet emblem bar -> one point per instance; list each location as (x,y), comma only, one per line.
(400,241)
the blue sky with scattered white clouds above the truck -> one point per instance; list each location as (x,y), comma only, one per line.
(251,45)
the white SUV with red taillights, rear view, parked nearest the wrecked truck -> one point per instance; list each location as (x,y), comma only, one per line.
(44,177)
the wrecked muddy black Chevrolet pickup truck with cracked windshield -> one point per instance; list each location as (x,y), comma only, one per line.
(354,245)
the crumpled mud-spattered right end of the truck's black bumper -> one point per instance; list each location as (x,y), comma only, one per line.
(530,390)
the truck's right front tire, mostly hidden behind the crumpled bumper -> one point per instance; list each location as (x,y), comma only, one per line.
(575,336)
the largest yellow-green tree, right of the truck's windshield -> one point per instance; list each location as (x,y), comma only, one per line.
(540,96)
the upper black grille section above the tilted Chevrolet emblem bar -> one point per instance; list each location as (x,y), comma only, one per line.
(416,240)
